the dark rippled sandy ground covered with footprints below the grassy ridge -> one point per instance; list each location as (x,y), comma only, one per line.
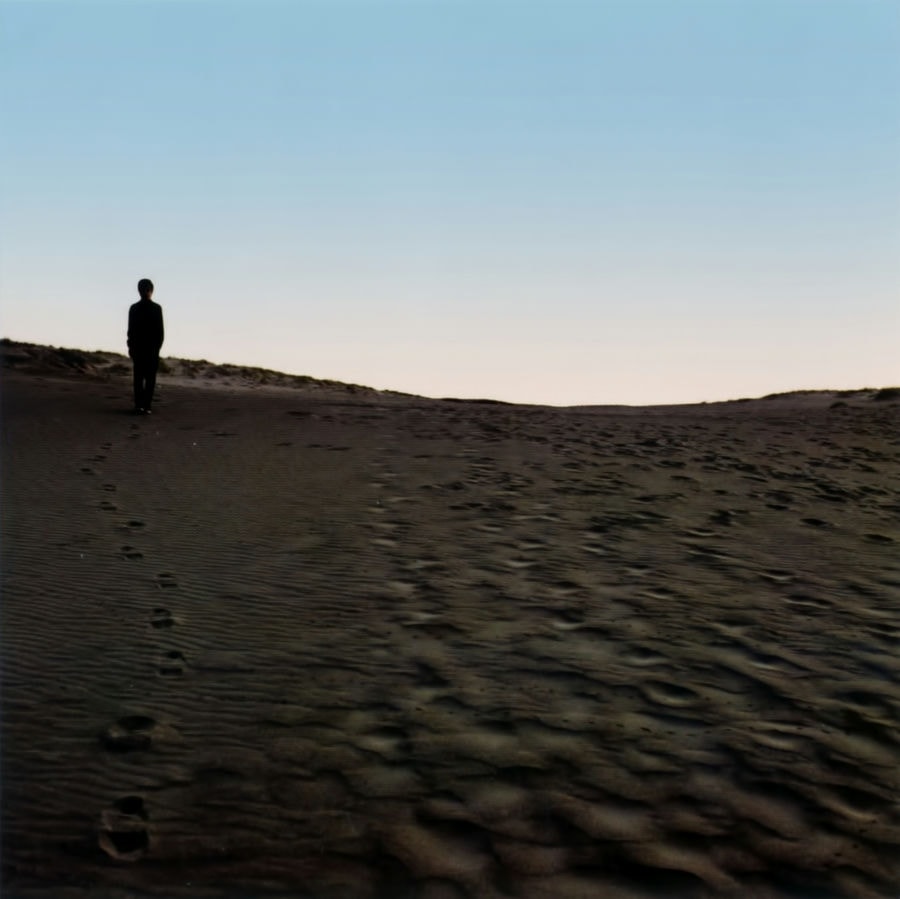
(322,642)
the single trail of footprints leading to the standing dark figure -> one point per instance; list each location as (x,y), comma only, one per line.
(124,829)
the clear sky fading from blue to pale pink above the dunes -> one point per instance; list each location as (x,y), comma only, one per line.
(615,201)
